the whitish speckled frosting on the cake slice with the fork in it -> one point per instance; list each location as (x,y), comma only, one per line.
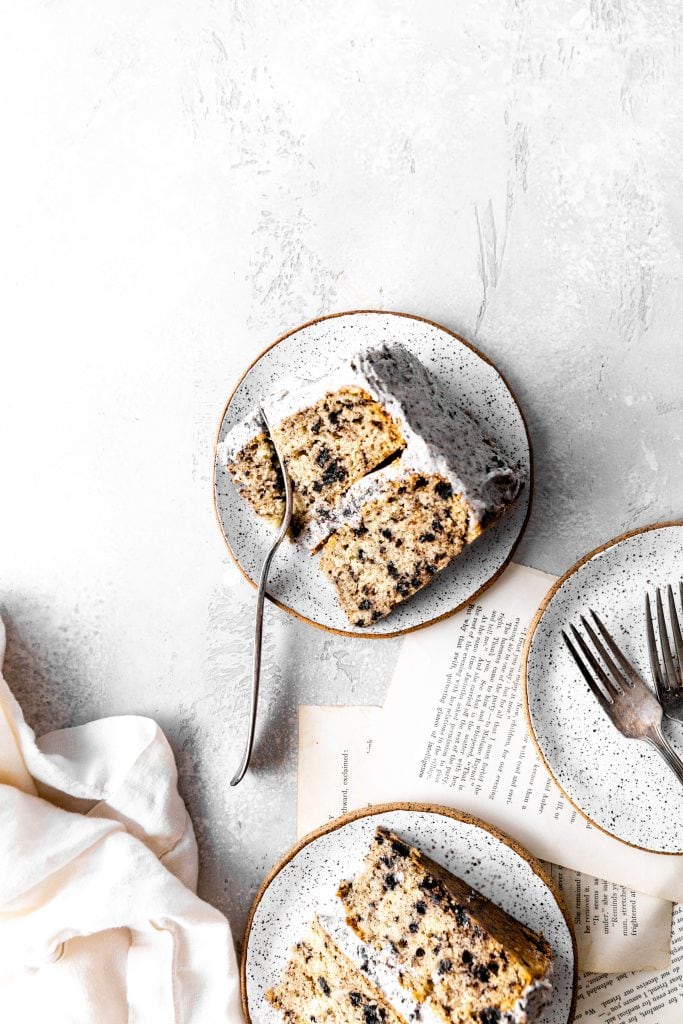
(442,439)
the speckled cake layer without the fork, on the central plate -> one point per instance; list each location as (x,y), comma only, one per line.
(398,542)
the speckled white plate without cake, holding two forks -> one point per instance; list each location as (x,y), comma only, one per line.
(620,785)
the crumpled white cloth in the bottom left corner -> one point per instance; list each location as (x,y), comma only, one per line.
(99,917)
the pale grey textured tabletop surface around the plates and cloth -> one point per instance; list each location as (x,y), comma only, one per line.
(185,182)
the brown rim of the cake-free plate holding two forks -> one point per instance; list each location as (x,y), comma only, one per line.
(524,674)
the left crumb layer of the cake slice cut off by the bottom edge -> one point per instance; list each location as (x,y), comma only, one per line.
(322,985)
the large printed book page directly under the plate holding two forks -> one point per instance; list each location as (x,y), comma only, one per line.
(453,733)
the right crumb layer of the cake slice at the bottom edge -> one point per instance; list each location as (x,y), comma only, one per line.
(454,950)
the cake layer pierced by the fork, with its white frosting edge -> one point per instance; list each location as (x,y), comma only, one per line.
(338,436)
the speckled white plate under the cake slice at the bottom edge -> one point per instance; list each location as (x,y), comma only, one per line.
(306,883)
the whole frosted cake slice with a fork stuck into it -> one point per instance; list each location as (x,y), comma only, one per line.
(392,478)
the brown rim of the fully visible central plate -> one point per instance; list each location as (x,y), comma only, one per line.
(430,622)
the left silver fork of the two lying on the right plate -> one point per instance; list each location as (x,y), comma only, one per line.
(625,699)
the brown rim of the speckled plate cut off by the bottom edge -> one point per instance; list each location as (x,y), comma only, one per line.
(373,812)
